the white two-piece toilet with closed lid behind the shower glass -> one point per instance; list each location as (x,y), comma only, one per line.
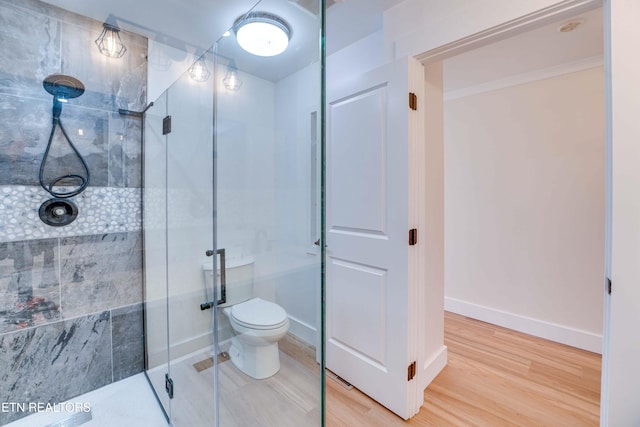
(258,324)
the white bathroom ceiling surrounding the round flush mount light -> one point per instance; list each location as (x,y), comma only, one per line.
(199,23)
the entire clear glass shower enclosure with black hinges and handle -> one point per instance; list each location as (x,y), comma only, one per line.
(233,231)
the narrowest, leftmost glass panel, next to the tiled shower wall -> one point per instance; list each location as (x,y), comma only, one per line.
(155,247)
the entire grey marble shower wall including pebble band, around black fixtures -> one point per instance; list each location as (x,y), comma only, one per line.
(70,297)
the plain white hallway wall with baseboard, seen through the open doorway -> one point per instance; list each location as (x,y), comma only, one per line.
(524,207)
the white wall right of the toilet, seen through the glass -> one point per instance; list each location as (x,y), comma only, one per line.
(298,284)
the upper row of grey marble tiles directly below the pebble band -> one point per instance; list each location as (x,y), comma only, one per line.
(44,281)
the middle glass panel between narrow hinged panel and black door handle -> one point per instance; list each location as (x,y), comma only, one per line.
(189,236)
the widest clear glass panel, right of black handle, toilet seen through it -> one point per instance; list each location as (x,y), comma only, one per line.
(268,163)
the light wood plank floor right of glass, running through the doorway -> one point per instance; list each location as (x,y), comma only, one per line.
(494,377)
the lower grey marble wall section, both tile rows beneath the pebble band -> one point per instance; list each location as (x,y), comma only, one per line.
(70,316)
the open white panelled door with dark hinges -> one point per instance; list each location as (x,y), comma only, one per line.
(371,303)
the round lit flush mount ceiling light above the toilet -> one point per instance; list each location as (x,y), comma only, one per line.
(262,34)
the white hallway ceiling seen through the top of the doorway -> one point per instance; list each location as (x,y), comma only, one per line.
(535,50)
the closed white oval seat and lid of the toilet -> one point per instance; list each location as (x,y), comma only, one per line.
(259,314)
